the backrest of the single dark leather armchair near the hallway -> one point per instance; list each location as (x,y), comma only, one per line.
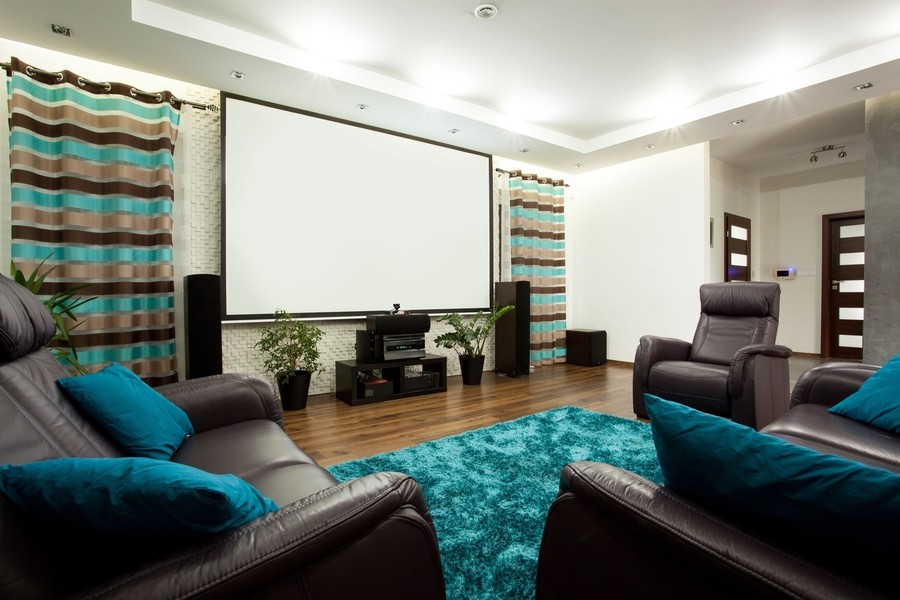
(732,316)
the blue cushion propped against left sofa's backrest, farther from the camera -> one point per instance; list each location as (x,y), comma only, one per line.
(137,417)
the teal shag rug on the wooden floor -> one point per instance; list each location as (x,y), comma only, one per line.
(489,490)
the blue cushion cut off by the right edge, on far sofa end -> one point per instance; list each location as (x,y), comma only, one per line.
(877,401)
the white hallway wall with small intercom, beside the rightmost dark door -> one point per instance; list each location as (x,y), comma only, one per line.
(791,218)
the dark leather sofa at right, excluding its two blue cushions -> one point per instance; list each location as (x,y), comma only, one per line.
(613,534)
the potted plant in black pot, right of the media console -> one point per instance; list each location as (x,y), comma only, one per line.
(468,338)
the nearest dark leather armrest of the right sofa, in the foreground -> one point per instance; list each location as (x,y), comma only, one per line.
(611,533)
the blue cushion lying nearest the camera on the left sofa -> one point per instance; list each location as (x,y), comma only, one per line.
(133,496)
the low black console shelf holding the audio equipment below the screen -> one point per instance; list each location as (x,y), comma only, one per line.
(349,388)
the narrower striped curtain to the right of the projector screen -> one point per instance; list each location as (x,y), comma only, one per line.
(538,255)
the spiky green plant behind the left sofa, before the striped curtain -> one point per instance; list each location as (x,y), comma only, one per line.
(61,306)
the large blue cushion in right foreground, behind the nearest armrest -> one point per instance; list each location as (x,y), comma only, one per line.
(753,477)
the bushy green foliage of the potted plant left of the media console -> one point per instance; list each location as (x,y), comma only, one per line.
(289,345)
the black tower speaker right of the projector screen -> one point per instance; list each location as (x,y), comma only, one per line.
(513,330)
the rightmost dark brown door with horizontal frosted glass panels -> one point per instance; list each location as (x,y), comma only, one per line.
(843,284)
